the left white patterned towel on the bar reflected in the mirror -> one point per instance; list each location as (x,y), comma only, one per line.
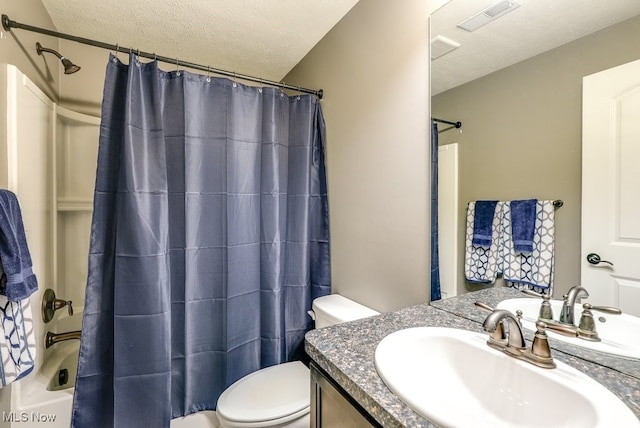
(482,265)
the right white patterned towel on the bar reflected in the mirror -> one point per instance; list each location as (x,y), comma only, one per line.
(530,271)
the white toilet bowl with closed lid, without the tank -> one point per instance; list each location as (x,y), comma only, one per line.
(278,393)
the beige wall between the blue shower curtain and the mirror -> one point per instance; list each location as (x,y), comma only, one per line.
(374,69)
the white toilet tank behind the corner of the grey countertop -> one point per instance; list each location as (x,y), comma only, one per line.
(336,309)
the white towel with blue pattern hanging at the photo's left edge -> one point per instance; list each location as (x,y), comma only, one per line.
(17,340)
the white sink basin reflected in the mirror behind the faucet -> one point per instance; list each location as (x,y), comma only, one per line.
(618,333)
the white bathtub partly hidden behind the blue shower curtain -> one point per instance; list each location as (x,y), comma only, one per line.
(46,398)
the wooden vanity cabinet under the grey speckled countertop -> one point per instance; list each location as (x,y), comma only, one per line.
(332,407)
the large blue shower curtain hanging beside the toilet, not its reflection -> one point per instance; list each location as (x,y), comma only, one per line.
(209,241)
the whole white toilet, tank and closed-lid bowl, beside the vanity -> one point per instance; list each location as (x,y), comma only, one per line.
(279,396)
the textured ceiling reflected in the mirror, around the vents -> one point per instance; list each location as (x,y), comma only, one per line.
(534,27)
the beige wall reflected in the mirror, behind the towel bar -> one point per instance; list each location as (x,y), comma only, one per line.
(522,134)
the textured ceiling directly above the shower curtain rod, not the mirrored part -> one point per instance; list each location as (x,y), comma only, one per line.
(261,38)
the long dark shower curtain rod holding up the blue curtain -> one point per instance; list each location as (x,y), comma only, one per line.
(7,24)
